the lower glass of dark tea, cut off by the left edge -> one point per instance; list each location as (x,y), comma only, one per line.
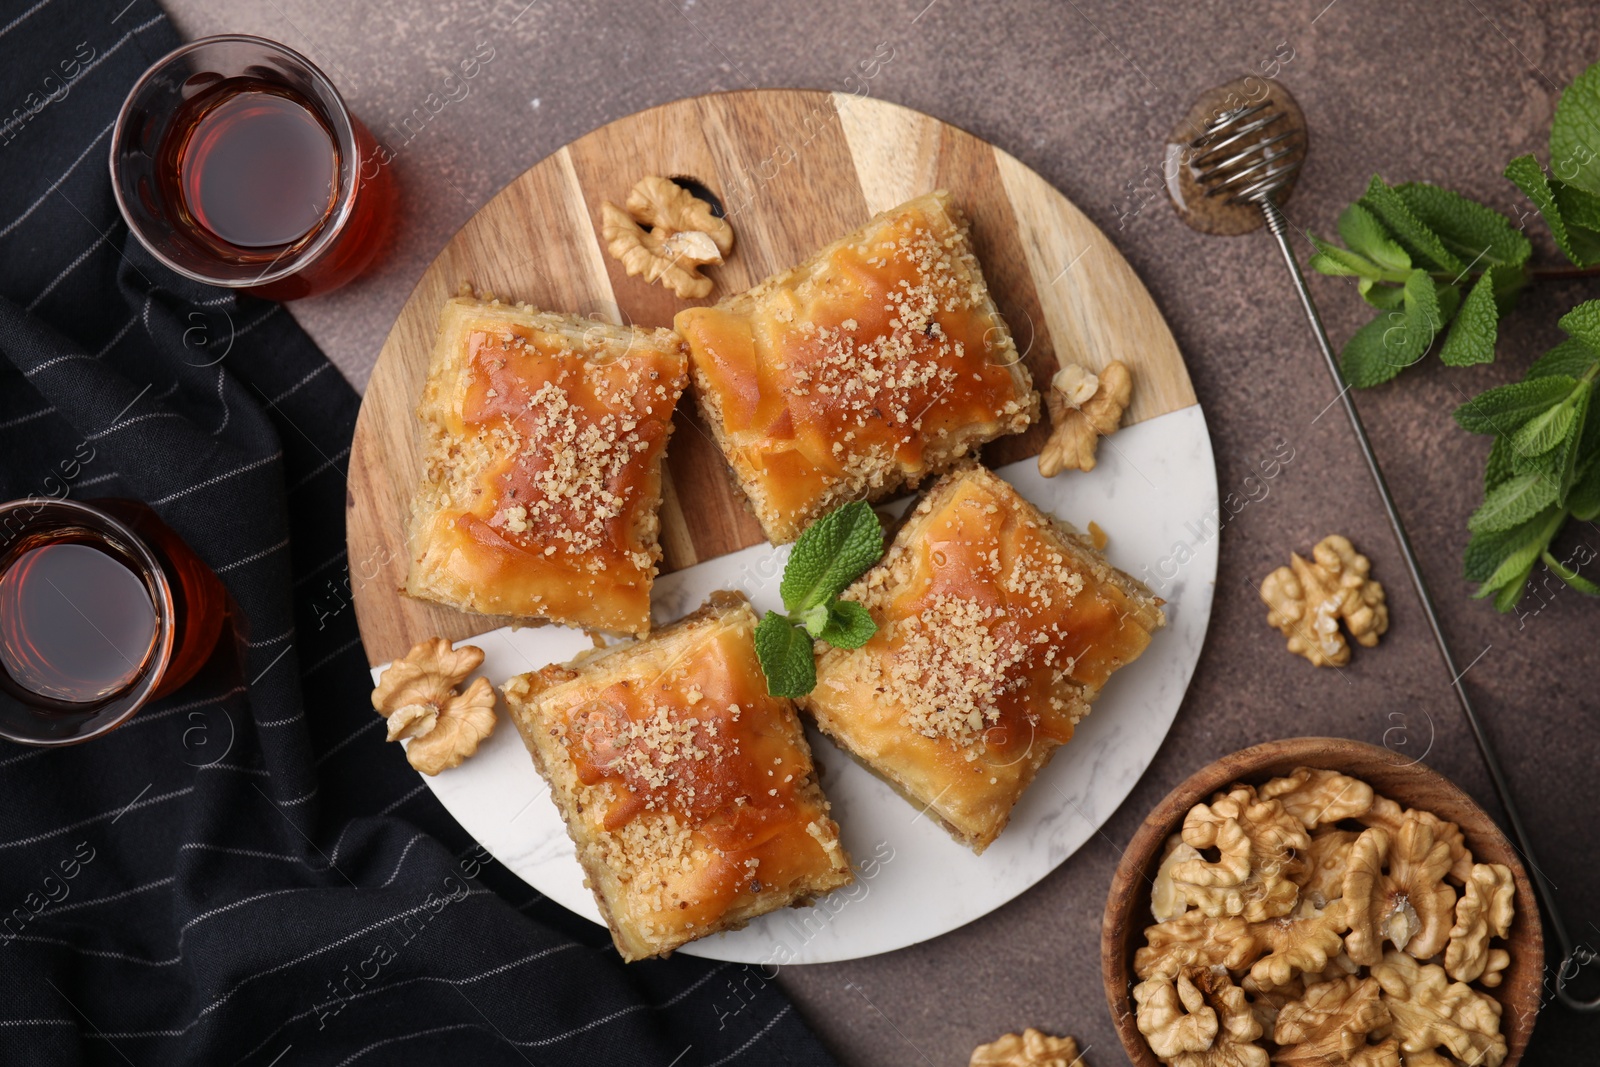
(103,609)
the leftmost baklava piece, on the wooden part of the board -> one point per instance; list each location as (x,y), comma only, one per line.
(542,466)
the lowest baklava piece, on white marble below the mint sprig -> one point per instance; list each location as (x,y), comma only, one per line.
(687,789)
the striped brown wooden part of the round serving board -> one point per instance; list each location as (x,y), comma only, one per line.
(794,170)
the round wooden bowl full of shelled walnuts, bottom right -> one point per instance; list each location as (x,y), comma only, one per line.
(1322,901)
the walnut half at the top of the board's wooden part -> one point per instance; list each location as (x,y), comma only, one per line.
(666,234)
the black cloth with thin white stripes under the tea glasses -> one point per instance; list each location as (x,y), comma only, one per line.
(246,873)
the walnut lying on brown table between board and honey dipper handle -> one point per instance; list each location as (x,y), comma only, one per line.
(1310,599)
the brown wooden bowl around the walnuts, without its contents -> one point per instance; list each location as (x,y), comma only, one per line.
(1410,785)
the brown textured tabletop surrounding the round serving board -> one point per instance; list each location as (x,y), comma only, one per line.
(1084,92)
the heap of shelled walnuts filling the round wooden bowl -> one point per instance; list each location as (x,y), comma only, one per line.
(1274,911)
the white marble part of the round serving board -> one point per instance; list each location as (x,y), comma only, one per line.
(1154,494)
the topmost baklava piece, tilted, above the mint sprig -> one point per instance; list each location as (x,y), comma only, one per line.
(876,362)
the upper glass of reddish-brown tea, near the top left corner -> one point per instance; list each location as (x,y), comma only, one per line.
(238,164)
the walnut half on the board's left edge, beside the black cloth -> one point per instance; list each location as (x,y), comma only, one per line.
(418,697)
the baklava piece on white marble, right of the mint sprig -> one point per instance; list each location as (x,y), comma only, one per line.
(998,628)
